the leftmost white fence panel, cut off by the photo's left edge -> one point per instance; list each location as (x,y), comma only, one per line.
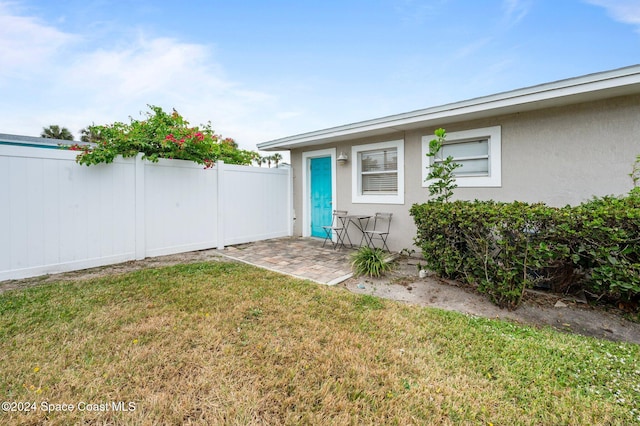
(57,216)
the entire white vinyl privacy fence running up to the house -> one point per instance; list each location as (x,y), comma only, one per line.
(56,215)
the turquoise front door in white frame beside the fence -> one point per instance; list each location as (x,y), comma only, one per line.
(320,193)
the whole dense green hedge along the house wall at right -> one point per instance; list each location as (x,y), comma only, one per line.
(504,248)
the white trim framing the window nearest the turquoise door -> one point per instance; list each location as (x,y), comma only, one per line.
(356,180)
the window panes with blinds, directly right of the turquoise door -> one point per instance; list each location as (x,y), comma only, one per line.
(379,171)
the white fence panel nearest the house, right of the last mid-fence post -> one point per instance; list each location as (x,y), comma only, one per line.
(255,203)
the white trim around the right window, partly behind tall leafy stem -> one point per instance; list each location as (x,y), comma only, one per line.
(493,134)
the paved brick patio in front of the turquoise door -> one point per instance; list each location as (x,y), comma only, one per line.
(300,257)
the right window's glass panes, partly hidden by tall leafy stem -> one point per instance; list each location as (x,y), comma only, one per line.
(473,156)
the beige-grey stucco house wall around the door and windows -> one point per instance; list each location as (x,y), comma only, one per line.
(558,156)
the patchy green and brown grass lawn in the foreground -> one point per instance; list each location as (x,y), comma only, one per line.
(226,343)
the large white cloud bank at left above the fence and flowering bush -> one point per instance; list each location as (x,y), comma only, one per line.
(50,81)
